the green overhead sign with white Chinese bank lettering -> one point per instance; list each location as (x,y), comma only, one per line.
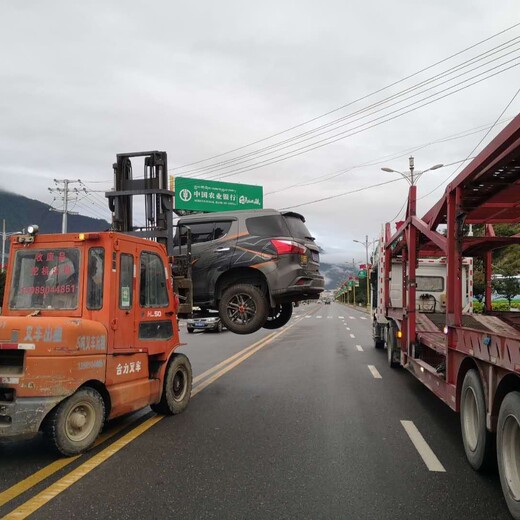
(201,195)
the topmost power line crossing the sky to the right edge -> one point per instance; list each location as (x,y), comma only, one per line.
(351,102)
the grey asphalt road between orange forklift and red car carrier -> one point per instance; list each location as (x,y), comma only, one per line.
(305,424)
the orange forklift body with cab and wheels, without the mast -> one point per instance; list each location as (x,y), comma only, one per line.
(88,332)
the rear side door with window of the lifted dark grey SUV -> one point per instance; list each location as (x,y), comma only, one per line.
(213,245)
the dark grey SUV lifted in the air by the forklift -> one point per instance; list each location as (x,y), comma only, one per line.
(251,265)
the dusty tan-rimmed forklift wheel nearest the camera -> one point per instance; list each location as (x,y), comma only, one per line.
(73,426)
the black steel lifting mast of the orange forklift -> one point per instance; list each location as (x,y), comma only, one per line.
(159,214)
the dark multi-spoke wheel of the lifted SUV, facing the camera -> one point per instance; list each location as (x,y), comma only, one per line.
(243,309)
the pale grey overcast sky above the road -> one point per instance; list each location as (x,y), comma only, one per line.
(80,82)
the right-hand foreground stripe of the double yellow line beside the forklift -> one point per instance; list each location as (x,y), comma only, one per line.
(64,483)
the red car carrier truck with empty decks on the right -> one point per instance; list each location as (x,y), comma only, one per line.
(423,311)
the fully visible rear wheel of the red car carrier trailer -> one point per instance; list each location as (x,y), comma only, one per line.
(478,442)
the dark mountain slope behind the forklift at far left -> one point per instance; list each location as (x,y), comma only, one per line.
(19,212)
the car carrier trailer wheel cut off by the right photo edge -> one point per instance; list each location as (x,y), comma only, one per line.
(508,451)
